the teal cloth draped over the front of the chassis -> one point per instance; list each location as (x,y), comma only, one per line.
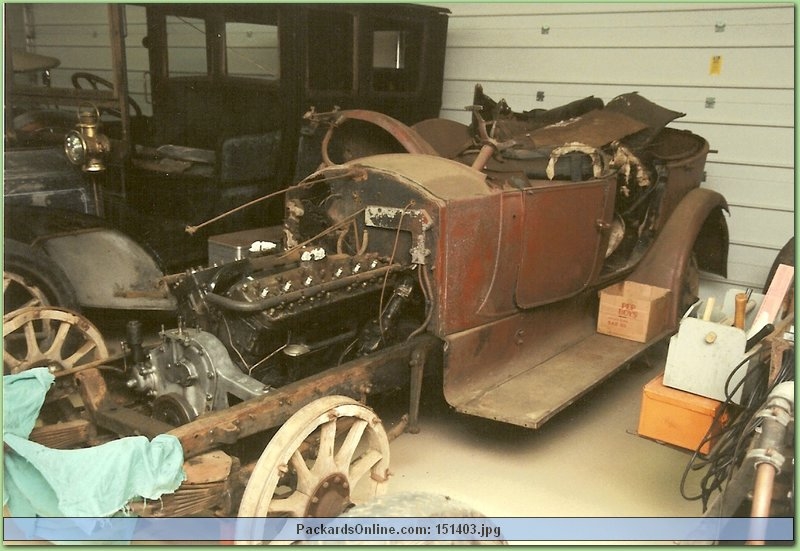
(90,482)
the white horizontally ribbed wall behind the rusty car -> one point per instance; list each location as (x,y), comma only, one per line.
(729,67)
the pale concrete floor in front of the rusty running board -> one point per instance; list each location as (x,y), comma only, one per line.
(586,461)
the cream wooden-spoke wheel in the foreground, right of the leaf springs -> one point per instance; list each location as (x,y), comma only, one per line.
(330,454)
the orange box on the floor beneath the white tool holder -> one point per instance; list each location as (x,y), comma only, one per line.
(676,417)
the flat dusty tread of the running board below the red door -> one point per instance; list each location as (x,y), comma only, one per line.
(534,395)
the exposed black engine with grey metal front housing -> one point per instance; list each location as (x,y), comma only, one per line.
(256,324)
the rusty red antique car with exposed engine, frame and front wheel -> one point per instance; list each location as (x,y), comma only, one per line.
(479,258)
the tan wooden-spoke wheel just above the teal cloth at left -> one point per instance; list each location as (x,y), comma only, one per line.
(49,337)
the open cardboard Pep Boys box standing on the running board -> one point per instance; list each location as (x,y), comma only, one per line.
(633,311)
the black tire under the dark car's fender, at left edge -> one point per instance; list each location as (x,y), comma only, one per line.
(37,271)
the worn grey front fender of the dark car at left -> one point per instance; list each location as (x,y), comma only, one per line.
(108,269)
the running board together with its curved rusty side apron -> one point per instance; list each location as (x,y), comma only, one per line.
(526,368)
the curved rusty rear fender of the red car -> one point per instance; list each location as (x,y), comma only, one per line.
(697,225)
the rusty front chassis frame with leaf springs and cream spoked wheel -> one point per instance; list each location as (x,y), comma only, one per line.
(216,481)
